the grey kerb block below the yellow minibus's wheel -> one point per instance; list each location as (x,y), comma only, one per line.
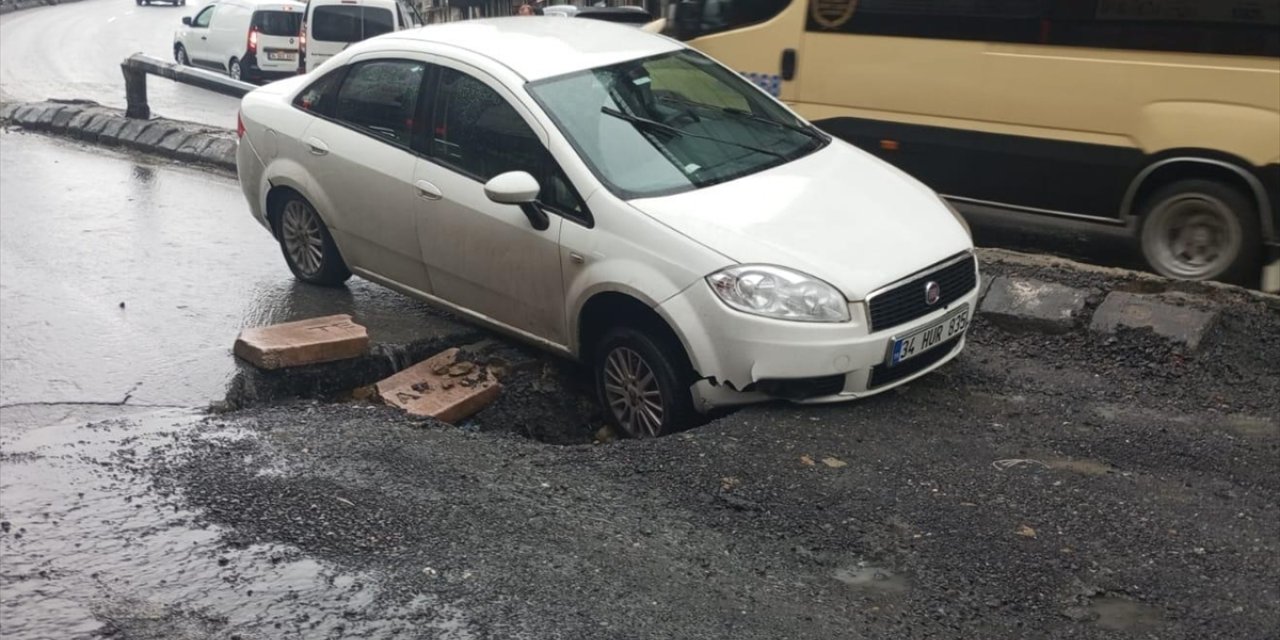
(1169,316)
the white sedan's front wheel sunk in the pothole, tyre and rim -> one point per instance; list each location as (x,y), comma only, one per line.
(642,381)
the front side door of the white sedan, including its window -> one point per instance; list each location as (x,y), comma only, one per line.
(484,257)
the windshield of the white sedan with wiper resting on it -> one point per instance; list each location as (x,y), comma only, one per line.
(673,124)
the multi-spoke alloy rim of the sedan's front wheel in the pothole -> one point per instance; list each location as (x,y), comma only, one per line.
(633,394)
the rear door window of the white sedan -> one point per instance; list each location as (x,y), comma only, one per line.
(381,98)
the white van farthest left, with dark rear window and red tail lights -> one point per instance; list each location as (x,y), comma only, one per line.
(249,40)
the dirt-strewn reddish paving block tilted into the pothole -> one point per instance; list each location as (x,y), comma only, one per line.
(441,387)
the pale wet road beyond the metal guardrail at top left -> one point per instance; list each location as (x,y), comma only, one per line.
(75,52)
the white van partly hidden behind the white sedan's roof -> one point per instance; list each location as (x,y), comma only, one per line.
(332,25)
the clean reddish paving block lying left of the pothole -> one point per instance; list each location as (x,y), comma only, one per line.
(305,342)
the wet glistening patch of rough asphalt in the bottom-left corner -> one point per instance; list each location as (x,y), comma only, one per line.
(90,547)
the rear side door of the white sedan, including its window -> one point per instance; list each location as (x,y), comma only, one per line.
(358,154)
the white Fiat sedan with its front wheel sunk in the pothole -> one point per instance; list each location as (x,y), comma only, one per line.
(615,198)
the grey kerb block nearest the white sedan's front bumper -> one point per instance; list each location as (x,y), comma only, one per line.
(1034,305)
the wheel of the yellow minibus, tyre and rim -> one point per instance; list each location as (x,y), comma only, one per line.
(1201,230)
